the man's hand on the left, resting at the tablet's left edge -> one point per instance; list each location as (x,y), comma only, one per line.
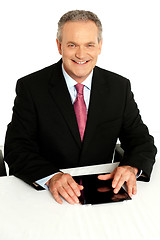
(63,184)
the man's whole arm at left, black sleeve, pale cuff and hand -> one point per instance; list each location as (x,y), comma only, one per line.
(23,152)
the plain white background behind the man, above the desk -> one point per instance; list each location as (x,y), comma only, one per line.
(131,47)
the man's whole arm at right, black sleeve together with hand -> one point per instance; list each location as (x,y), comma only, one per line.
(138,146)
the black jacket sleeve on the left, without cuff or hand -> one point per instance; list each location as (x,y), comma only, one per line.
(21,151)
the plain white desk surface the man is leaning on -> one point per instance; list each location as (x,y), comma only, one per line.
(34,215)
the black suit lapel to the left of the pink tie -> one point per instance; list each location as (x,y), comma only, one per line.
(61,96)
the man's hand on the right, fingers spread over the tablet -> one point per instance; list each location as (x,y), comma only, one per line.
(121,175)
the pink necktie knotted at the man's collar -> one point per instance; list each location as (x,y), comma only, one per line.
(80,109)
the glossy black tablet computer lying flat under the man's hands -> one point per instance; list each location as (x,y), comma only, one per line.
(99,191)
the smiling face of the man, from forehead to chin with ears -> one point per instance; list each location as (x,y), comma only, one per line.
(79,48)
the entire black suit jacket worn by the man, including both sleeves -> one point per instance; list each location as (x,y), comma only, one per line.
(43,135)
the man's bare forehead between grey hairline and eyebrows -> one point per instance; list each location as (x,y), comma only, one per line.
(78,31)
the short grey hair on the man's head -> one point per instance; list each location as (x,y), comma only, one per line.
(79,15)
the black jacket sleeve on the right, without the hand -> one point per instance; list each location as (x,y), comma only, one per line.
(138,145)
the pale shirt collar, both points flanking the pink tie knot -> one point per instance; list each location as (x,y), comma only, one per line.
(71,82)
